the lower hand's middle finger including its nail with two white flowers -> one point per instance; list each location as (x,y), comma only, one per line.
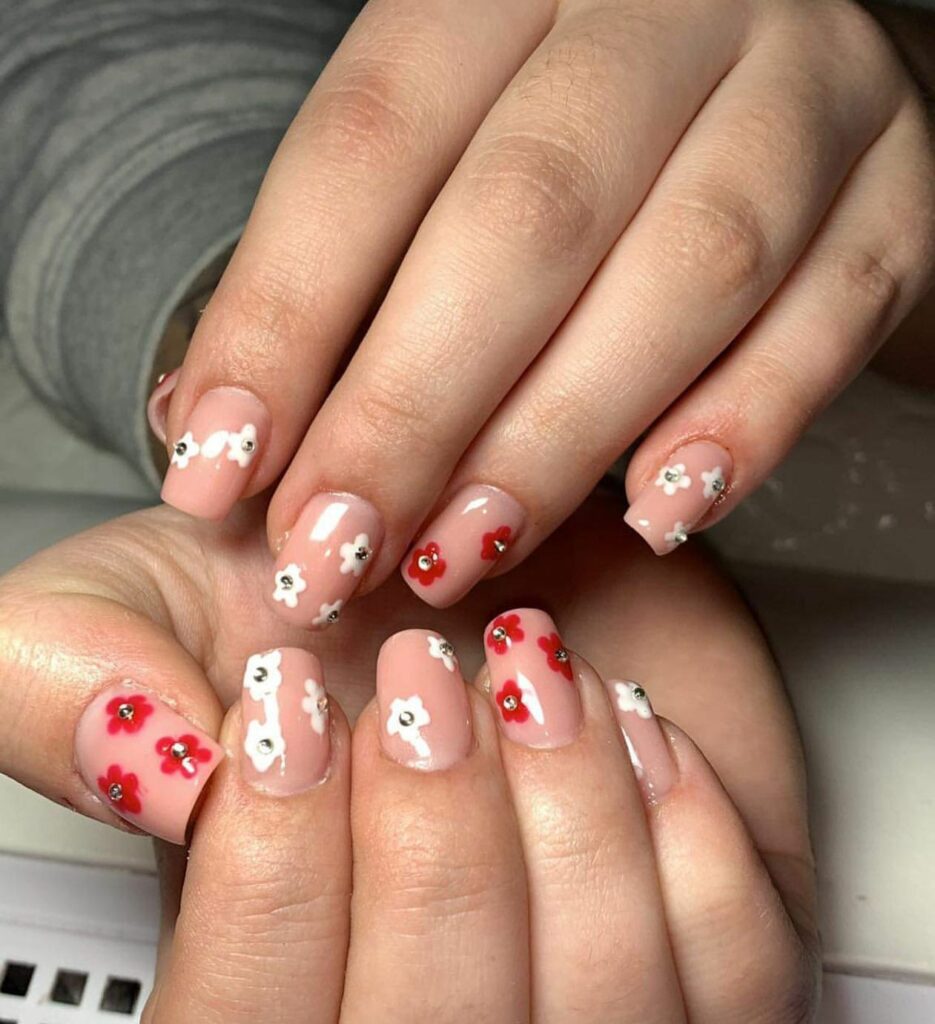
(440,907)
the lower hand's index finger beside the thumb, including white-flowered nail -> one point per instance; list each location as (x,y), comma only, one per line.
(264,926)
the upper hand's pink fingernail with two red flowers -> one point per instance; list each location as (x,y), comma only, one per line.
(463,544)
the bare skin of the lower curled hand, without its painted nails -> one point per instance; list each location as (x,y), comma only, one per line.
(485,892)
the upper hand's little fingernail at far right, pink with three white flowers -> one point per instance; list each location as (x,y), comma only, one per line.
(676,499)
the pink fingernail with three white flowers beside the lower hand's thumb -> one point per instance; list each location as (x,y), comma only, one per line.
(287,735)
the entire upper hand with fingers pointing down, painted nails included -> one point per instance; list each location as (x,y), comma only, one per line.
(695,220)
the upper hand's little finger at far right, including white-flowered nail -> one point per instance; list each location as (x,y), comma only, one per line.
(865,271)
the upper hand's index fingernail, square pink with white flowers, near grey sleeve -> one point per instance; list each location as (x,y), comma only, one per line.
(212,462)
